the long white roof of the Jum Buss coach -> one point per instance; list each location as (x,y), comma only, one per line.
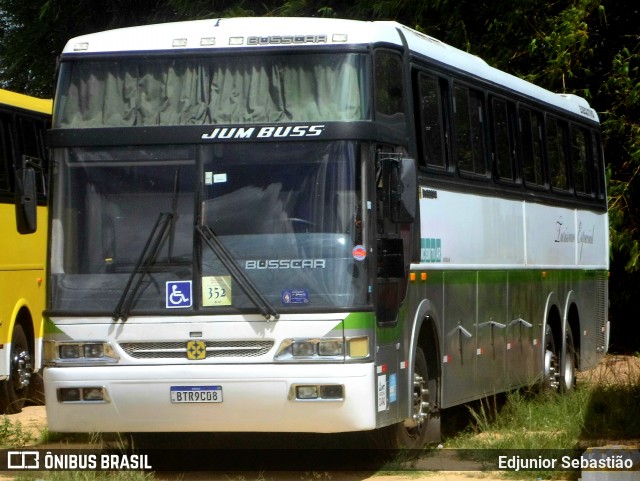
(260,32)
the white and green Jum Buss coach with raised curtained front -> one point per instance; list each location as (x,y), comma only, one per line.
(312,225)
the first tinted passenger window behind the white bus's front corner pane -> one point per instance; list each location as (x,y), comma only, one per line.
(432,133)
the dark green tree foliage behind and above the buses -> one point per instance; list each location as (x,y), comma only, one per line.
(587,47)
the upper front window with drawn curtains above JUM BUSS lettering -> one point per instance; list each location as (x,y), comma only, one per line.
(239,89)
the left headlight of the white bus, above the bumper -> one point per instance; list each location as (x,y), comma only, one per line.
(60,353)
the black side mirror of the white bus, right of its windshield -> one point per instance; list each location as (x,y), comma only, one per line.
(403,191)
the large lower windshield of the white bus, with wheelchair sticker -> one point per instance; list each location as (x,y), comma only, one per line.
(288,215)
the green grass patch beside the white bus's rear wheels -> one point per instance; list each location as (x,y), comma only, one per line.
(603,410)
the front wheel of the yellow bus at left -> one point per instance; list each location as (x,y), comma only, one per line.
(14,390)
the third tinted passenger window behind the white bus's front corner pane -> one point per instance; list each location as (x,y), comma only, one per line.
(504,143)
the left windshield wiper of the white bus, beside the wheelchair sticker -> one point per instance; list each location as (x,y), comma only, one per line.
(145,260)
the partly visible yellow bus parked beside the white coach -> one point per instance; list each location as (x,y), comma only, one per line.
(23,216)
